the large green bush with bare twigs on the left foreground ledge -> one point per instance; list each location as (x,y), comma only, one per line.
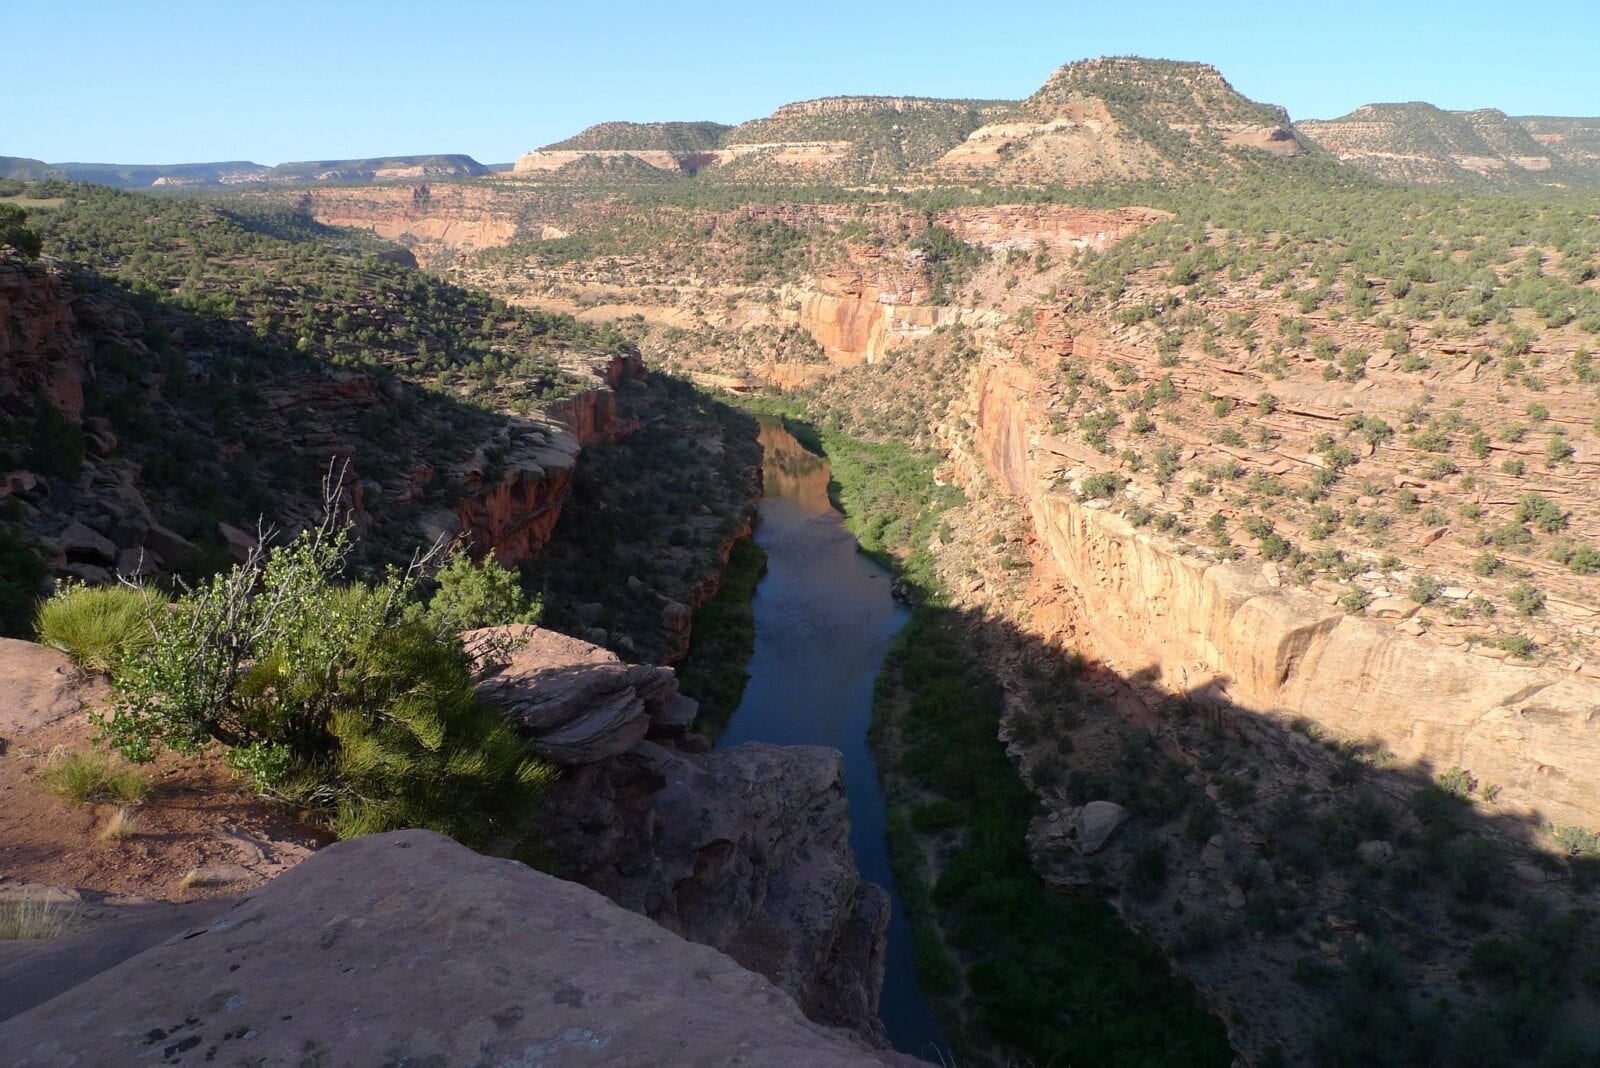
(350,698)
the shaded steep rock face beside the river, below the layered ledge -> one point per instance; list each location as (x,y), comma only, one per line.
(745,850)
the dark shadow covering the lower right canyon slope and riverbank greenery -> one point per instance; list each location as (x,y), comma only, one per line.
(1326,901)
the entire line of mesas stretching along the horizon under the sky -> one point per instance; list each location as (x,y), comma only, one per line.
(1097,121)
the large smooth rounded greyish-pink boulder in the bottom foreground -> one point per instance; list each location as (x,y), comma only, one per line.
(414,949)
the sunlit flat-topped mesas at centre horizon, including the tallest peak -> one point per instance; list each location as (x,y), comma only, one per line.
(1094,121)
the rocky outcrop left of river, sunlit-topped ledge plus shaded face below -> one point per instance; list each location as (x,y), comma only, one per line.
(745,850)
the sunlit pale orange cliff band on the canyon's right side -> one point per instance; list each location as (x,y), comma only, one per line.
(1230,632)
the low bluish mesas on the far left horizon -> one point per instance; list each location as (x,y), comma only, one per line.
(244,172)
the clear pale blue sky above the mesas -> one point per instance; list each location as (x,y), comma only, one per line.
(166,81)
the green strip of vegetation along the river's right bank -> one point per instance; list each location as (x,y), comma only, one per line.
(1015,971)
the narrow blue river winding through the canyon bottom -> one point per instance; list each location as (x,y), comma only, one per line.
(825,621)
